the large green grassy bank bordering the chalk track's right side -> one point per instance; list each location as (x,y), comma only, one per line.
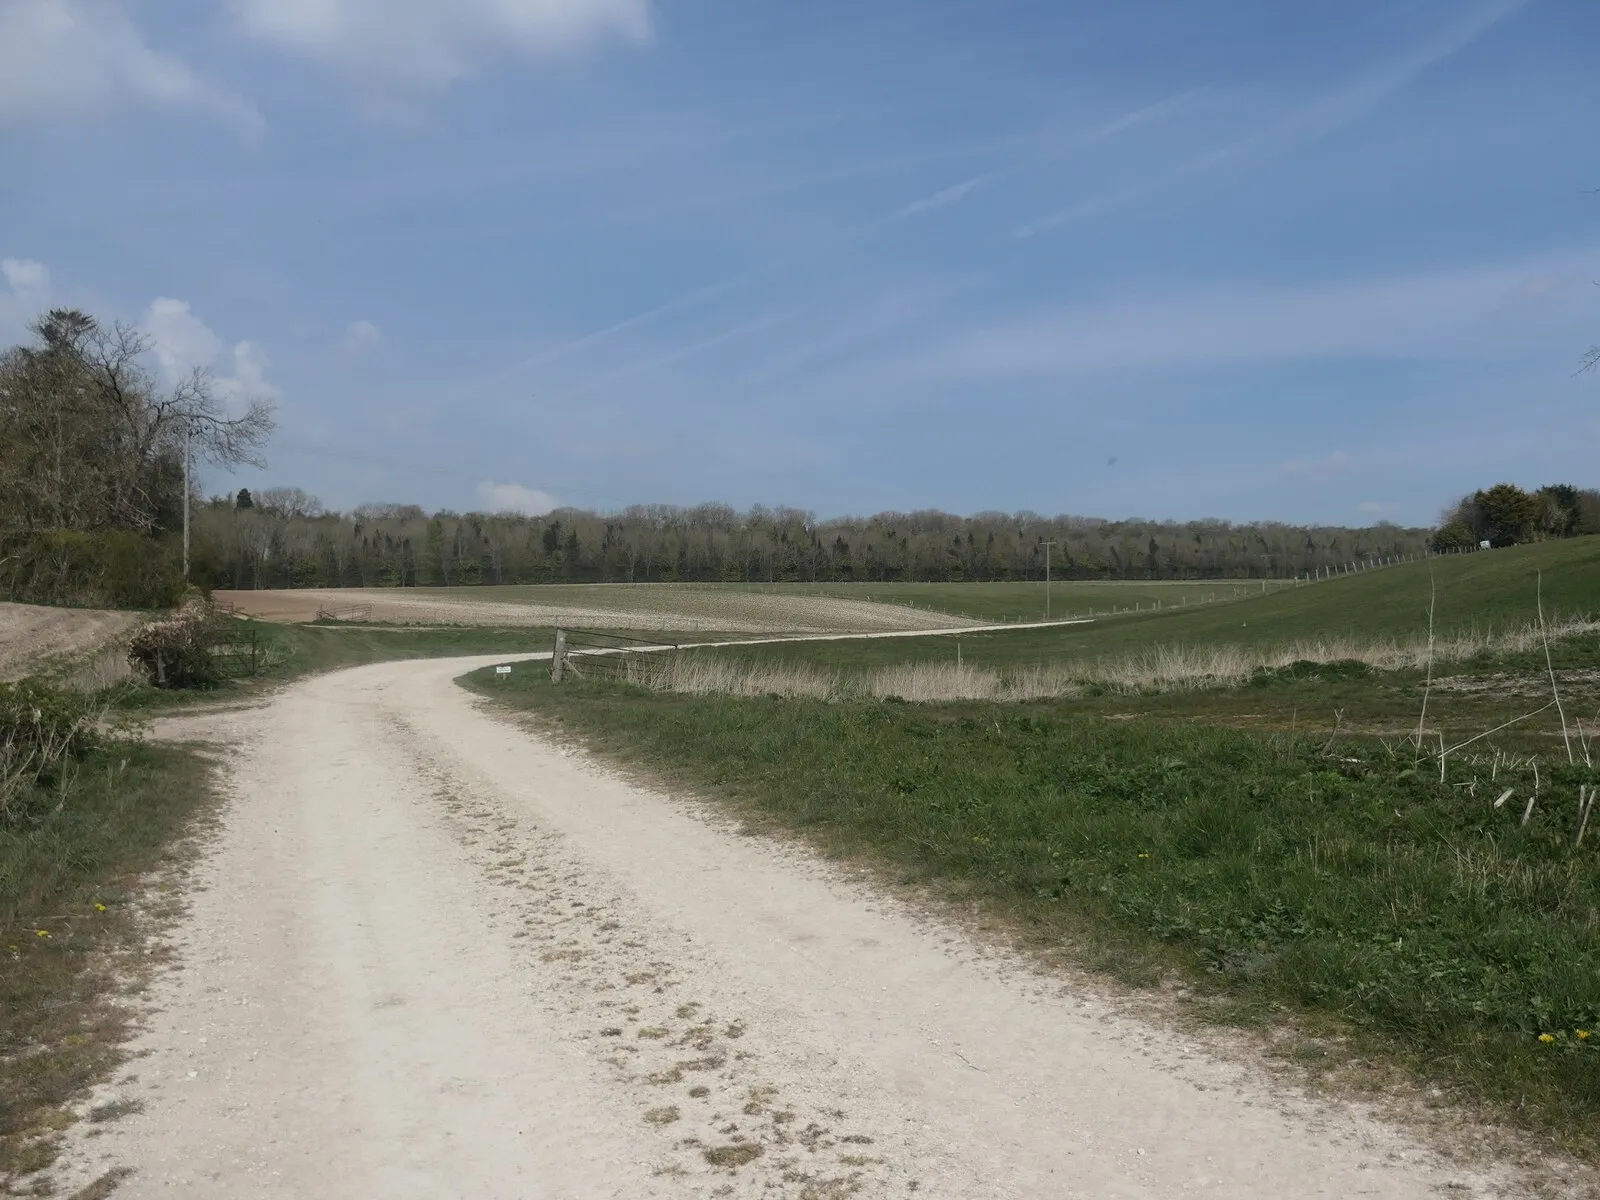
(1326,882)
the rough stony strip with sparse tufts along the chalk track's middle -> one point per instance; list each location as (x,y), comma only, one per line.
(695,1070)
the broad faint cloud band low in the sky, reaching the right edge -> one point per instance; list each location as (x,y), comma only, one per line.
(1478,313)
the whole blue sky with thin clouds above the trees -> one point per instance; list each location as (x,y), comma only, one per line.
(1162,258)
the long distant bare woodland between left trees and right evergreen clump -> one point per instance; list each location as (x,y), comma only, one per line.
(284,540)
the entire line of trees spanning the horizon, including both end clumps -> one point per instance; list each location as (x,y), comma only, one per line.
(92,489)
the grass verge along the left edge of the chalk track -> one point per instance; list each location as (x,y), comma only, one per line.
(66,874)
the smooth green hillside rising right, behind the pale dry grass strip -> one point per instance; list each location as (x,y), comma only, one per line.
(1474,591)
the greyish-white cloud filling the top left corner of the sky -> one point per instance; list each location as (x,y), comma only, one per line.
(78,57)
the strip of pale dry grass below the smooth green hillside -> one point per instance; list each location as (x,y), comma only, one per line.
(1156,670)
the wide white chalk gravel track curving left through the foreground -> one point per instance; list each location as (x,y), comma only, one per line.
(430,954)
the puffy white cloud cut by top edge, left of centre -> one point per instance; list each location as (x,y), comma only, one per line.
(433,44)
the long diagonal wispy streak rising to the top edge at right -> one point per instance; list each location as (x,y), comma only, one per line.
(1308,124)
